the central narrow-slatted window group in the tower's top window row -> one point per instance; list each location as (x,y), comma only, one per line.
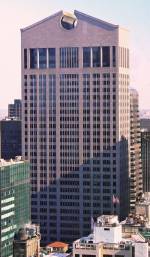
(69,57)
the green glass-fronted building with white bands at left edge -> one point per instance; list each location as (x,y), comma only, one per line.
(15,201)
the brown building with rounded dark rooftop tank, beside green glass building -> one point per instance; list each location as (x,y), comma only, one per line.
(27,242)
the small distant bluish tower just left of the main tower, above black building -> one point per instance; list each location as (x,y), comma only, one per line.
(15,109)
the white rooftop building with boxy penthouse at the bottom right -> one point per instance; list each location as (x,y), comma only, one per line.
(108,240)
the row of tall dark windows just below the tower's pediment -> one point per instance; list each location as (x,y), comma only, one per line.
(43,58)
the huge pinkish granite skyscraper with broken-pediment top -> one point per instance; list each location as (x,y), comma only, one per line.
(76,135)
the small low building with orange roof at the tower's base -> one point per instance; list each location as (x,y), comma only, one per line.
(58,247)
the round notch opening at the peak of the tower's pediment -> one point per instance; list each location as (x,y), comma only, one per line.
(68,21)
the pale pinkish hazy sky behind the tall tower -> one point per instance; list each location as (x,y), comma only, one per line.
(16,14)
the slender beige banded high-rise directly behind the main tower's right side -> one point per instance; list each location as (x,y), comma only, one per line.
(136,180)
